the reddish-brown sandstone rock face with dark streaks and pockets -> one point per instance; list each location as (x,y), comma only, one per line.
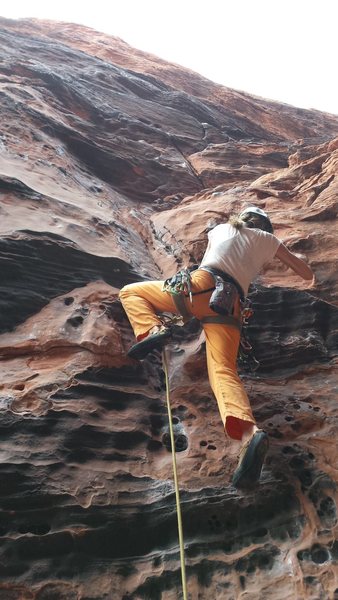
(113,166)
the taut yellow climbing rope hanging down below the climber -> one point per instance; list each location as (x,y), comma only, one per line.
(177,491)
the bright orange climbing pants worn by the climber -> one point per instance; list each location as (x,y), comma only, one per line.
(142,303)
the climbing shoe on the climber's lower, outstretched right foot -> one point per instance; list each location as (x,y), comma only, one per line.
(251,461)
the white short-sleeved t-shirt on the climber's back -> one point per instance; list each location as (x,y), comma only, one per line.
(239,252)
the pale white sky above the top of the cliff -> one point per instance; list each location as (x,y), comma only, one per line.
(284,50)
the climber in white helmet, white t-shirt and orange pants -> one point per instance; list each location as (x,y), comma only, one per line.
(236,252)
